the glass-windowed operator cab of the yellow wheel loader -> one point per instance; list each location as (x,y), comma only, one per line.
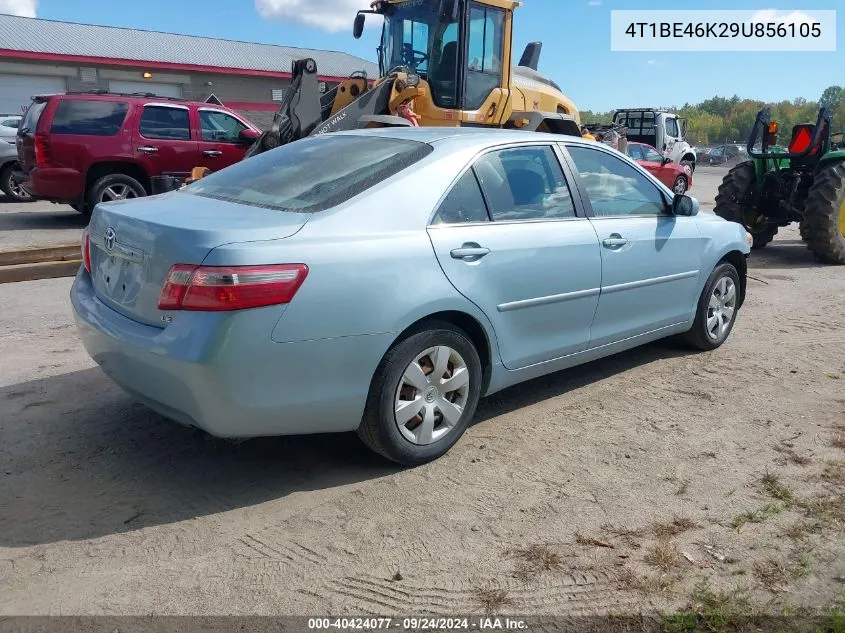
(457,46)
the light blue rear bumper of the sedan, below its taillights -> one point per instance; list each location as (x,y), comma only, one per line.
(230,380)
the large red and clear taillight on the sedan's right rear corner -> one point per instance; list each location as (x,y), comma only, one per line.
(224,288)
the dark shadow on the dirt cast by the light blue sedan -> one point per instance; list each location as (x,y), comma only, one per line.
(82,461)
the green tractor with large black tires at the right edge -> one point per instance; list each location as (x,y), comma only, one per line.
(804,182)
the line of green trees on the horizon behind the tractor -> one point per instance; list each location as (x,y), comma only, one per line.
(731,119)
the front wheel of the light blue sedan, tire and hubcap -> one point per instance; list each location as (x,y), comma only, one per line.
(717,309)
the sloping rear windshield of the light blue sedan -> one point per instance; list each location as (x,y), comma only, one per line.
(312,174)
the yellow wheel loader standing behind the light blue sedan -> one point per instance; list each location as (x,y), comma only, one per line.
(442,63)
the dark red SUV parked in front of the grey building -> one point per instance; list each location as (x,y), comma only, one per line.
(86,148)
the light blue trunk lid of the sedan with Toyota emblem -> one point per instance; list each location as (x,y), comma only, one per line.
(134,243)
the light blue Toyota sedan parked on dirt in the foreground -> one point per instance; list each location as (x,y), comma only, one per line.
(385,280)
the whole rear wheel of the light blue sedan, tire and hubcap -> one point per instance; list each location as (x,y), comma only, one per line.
(423,395)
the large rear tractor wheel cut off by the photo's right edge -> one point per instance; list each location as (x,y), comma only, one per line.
(824,215)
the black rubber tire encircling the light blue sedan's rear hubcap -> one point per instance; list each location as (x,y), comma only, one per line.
(379,429)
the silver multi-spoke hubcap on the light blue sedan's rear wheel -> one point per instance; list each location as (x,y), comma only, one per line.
(432,395)
